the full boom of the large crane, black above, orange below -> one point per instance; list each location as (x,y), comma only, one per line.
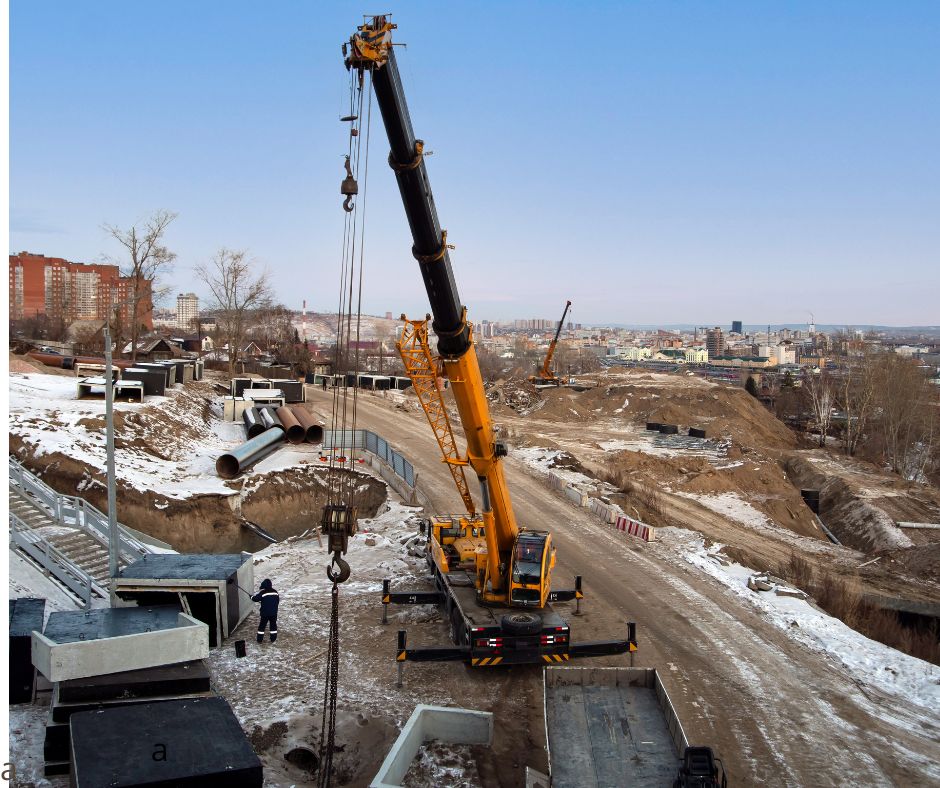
(371,50)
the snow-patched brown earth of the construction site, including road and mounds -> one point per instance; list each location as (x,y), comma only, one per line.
(781,703)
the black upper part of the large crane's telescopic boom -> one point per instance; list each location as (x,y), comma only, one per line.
(449,324)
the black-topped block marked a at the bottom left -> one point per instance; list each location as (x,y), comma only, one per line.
(176,743)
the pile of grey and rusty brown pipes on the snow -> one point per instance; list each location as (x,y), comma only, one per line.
(266,429)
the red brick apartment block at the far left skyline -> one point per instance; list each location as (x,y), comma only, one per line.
(54,287)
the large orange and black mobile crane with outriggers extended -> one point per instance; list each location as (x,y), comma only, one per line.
(491,576)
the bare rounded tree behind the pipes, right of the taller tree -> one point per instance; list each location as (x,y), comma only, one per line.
(237,291)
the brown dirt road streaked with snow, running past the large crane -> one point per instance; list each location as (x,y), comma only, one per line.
(778,713)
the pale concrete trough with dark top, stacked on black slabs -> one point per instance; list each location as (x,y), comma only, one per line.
(79,644)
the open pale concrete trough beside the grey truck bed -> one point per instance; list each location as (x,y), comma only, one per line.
(427,723)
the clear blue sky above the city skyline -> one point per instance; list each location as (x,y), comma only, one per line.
(653,162)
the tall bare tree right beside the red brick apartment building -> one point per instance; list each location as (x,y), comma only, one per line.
(148,260)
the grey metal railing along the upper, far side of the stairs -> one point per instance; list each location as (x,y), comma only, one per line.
(74,512)
